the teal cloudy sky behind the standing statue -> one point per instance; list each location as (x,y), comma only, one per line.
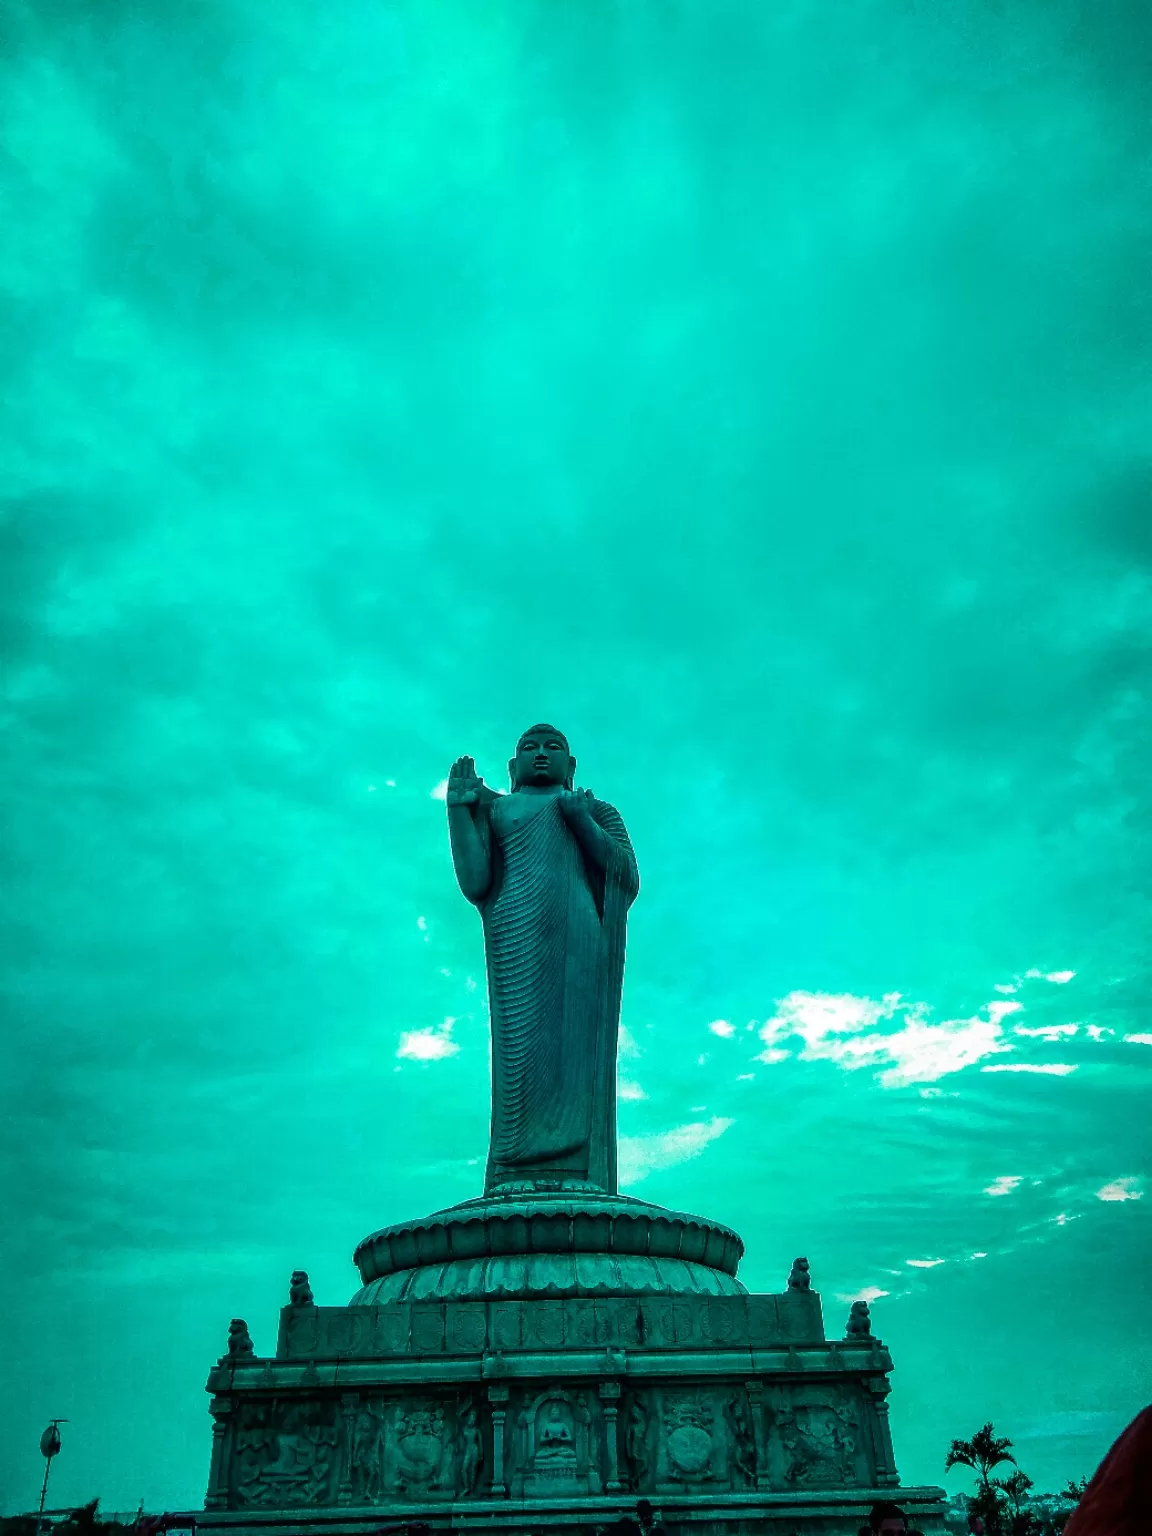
(761,392)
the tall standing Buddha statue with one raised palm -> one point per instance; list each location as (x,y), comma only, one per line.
(552,873)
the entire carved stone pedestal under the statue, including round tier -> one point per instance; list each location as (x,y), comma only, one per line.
(526,1363)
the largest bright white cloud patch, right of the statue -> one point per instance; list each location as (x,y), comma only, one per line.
(852,1033)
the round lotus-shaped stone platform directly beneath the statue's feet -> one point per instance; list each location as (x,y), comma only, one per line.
(563,1245)
